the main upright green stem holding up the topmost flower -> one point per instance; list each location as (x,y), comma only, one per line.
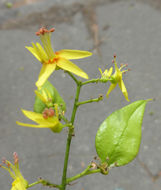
(70,133)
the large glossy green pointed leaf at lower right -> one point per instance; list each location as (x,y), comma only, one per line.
(118,137)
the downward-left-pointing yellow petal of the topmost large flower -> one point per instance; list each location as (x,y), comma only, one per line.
(45,72)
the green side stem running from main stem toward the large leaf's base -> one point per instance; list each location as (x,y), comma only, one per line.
(84,173)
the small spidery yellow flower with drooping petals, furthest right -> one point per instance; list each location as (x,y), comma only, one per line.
(116,78)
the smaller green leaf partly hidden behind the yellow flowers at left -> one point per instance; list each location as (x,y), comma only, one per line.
(39,105)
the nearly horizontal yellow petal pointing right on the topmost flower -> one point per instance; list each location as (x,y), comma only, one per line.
(73,54)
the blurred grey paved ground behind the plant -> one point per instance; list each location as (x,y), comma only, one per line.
(130,28)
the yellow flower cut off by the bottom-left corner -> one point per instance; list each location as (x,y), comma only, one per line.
(19,182)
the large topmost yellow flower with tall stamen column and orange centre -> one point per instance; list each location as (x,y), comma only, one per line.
(55,60)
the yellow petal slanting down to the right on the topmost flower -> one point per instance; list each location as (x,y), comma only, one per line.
(69,66)
